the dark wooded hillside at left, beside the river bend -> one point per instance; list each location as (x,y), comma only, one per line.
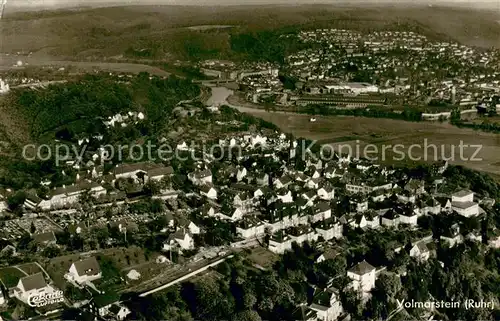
(75,108)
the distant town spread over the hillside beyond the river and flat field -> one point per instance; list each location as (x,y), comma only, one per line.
(347,69)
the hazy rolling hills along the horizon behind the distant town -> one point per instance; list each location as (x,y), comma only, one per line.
(174,32)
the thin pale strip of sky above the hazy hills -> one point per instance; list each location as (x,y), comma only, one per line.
(494,4)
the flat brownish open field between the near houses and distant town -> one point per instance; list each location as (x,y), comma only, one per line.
(359,132)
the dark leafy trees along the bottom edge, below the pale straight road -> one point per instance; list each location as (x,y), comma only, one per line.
(245,293)
